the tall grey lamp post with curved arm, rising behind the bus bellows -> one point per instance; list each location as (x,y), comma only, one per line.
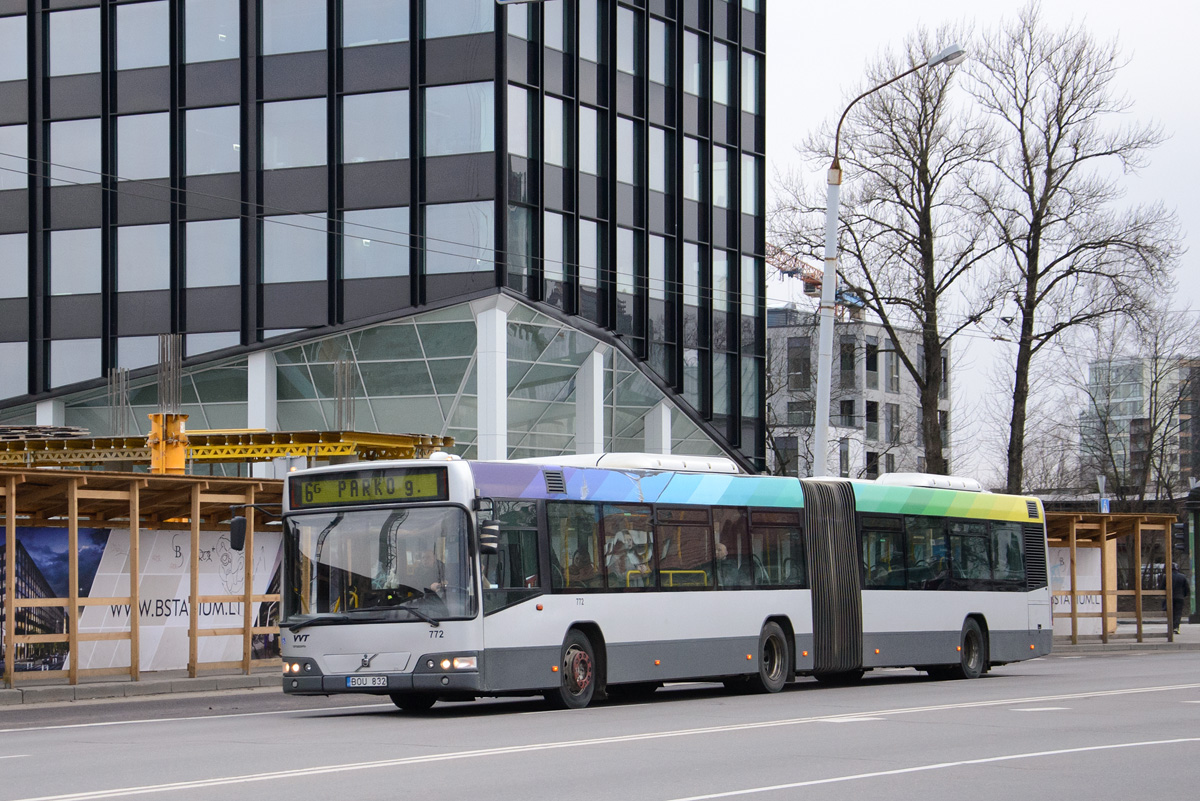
(953,55)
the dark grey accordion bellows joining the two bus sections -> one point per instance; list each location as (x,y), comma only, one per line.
(832,545)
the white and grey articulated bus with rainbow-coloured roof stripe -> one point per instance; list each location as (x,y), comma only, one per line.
(584,577)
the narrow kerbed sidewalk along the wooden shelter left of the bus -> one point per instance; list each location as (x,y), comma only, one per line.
(158,684)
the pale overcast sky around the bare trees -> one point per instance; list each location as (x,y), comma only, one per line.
(818,53)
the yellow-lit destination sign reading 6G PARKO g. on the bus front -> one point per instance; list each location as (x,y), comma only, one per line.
(369,487)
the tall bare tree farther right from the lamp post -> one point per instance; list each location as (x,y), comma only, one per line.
(1071,257)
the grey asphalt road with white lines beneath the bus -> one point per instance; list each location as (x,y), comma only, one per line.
(1096,727)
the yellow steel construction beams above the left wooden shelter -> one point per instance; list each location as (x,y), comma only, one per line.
(171,448)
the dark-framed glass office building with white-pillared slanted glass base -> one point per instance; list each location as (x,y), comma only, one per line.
(535,227)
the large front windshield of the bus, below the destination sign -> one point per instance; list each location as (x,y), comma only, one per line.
(393,564)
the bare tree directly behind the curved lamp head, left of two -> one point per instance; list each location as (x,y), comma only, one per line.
(911,233)
